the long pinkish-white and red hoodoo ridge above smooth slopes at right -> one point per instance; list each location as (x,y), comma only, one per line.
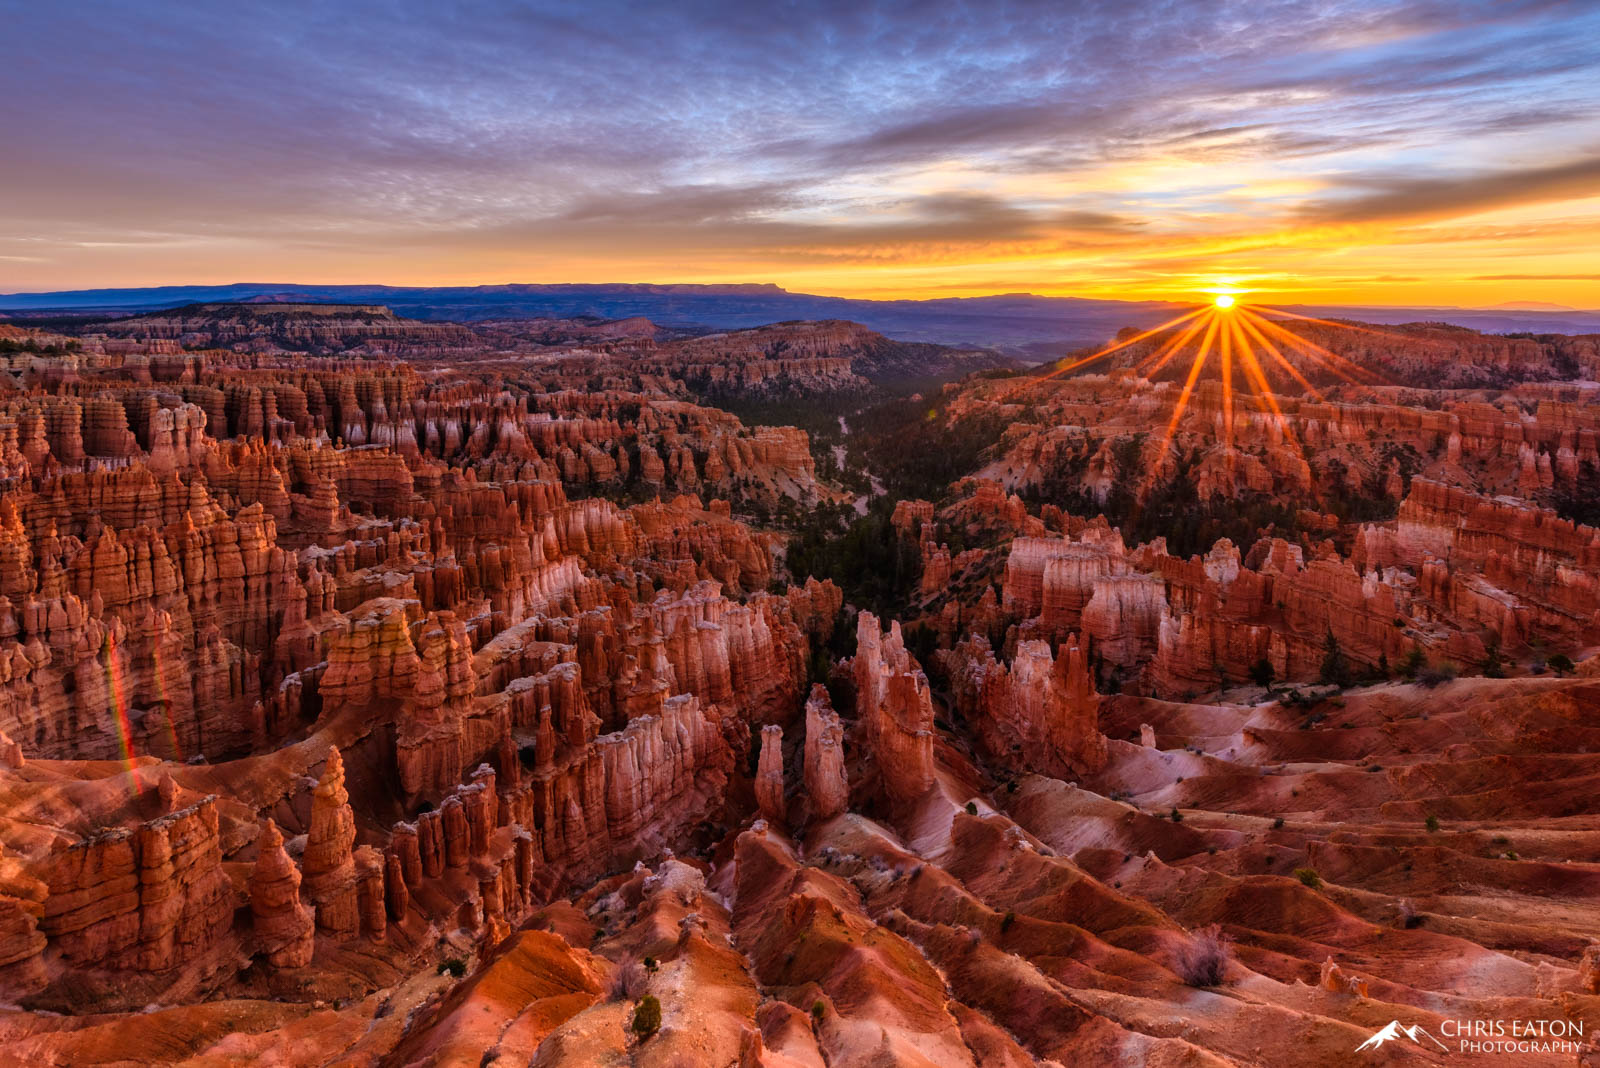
(1186,628)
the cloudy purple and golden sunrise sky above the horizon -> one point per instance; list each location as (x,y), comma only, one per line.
(1436,153)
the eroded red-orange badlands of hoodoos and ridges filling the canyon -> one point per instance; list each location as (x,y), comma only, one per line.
(580,691)
